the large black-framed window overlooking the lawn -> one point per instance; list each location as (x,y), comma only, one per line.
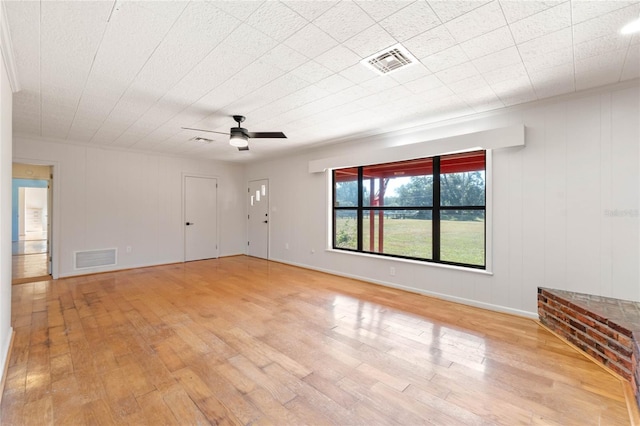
(430,209)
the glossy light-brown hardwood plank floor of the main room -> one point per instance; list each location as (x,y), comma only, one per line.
(246,341)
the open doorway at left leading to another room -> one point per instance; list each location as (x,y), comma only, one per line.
(31,223)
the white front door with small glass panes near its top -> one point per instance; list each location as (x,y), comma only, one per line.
(259,218)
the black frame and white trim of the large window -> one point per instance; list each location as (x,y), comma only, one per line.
(435,209)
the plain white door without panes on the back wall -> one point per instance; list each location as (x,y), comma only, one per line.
(200,214)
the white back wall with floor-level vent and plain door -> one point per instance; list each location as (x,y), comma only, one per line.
(108,198)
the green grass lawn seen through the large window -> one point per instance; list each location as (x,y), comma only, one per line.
(461,241)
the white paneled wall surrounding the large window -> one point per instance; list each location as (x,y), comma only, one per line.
(565,207)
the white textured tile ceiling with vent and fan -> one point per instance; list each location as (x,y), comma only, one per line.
(130,74)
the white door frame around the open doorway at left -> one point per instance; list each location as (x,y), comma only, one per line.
(54,212)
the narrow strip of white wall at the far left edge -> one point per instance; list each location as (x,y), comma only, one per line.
(6,97)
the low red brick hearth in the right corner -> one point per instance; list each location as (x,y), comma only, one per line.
(607,329)
